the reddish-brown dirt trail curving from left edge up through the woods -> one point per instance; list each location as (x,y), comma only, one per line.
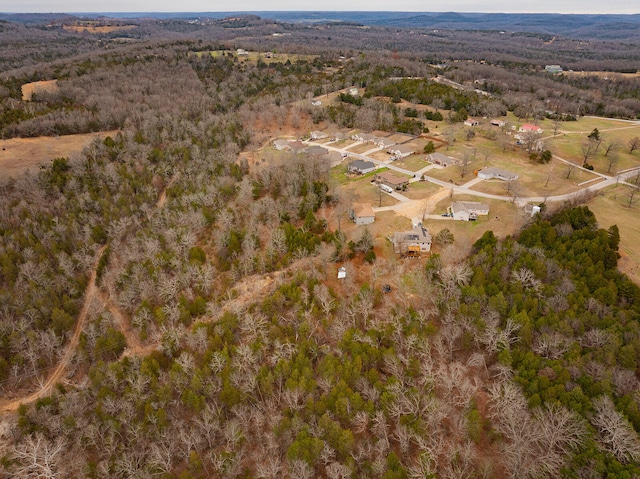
(58,372)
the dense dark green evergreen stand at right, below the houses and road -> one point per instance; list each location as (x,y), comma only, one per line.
(578,328)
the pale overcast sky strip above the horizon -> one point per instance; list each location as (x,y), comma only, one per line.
(507,6)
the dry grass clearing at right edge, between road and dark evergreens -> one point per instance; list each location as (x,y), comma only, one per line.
(611,208)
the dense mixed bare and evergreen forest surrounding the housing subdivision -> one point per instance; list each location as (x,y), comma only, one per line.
(182,293)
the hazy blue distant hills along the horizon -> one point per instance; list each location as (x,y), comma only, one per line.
(583,26)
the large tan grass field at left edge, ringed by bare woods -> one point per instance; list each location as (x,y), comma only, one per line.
(18,155)
